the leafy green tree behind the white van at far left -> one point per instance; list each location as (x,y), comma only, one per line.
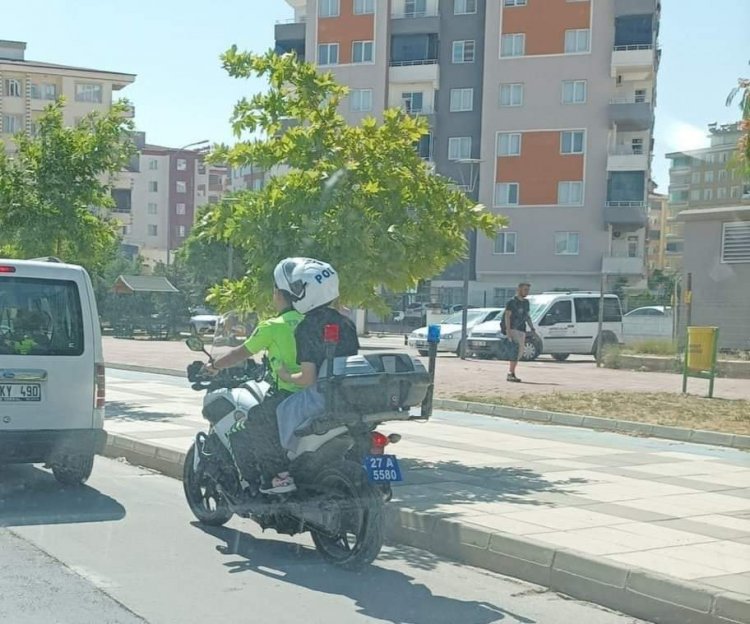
(55,187)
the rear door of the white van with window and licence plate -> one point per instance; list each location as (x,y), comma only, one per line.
(47,349)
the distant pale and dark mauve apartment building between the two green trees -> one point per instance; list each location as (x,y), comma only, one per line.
(158,204)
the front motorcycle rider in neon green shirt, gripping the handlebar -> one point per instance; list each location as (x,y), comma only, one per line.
(276,337)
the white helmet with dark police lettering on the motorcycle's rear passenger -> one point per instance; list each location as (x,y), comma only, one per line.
(311,283)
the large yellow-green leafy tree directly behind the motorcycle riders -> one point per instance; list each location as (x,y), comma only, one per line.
(359,197)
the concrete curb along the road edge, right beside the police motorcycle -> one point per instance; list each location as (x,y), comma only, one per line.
(631,590)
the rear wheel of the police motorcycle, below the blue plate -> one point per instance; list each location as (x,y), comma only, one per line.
(359,538)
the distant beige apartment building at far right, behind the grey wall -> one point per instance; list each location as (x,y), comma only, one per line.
(703,178)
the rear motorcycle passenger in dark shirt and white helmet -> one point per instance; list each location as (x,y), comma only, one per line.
(314,286)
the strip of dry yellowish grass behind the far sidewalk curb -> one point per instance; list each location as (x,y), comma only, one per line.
(657,408)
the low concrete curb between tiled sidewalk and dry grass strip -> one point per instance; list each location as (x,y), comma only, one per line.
(680,434)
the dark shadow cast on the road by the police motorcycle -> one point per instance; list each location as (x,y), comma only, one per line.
(377,592)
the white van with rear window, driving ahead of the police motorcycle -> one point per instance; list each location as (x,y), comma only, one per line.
(51,368)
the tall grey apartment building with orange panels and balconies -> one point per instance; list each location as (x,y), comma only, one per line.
(542,110)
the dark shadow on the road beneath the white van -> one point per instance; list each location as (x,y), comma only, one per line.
(30,496)
